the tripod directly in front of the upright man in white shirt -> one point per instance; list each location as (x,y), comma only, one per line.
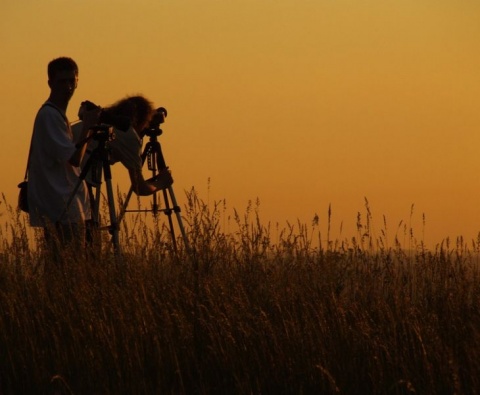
(99,156)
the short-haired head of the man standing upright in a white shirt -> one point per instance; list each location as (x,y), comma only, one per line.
(62,78)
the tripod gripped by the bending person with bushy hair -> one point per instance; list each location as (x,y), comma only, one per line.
(152,153)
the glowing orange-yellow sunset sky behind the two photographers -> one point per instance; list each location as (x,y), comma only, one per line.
(299,103)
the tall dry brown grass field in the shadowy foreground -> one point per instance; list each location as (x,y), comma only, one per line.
(243,312)
